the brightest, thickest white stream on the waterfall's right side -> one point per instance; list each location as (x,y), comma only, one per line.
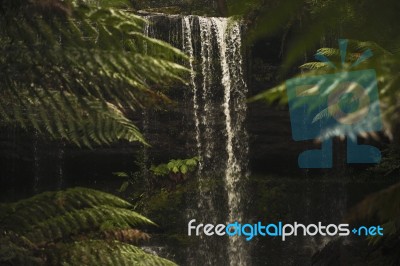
(231,64)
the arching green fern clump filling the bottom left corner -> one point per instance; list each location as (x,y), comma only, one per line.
(78,226)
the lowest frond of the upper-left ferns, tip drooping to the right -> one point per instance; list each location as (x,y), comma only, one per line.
(82,120)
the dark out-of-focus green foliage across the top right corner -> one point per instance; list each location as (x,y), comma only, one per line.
(304,24)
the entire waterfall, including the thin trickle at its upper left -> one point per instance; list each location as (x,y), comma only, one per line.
(218,109)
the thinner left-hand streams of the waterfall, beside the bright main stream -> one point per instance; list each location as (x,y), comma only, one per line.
(203,134)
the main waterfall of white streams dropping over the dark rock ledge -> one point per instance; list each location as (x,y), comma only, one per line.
(220,38)
